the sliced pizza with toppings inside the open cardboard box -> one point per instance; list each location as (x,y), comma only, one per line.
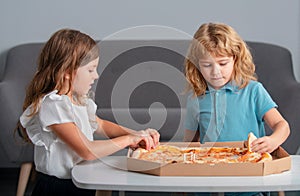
(202,155)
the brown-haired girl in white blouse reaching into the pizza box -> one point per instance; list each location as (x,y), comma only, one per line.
(60,119)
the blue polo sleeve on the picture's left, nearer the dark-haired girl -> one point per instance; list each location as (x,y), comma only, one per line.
(192,113)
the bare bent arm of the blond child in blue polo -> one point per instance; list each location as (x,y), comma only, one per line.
(281,131)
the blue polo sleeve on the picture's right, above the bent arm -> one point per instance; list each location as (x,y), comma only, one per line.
(263,101)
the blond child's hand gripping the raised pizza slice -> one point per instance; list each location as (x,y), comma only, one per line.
(264,144)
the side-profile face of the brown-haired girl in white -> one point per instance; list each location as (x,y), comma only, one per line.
(85,77)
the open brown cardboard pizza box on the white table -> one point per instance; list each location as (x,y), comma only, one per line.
(281,162)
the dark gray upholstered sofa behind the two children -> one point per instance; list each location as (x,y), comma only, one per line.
(141,85)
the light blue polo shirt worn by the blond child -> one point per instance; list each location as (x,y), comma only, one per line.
(229,113)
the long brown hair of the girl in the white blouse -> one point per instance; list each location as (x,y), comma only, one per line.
(63,53)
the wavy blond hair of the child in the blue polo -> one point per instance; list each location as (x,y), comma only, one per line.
(218,39)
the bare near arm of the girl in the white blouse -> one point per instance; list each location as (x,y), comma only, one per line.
(90,150)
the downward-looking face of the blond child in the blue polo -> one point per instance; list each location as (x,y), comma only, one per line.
(216,70)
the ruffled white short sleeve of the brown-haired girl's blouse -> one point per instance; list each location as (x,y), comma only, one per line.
(55,109)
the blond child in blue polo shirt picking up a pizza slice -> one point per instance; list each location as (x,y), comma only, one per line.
(226,101)
